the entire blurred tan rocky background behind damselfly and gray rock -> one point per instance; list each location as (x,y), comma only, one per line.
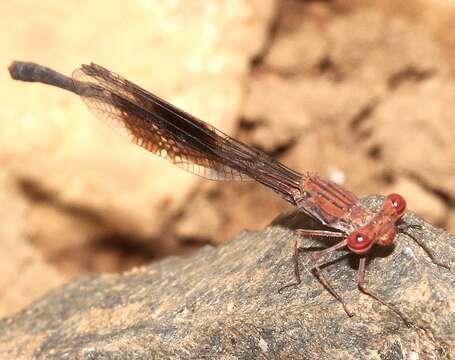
(361,92)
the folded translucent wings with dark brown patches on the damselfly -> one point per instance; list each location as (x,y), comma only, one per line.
(149,121)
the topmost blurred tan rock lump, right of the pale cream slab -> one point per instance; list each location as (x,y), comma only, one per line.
(363,45)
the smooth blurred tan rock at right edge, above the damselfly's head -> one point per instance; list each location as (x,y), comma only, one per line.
(415,129)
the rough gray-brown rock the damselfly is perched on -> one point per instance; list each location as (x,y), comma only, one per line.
(222,303)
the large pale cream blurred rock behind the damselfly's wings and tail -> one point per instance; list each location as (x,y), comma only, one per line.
(79,159)
